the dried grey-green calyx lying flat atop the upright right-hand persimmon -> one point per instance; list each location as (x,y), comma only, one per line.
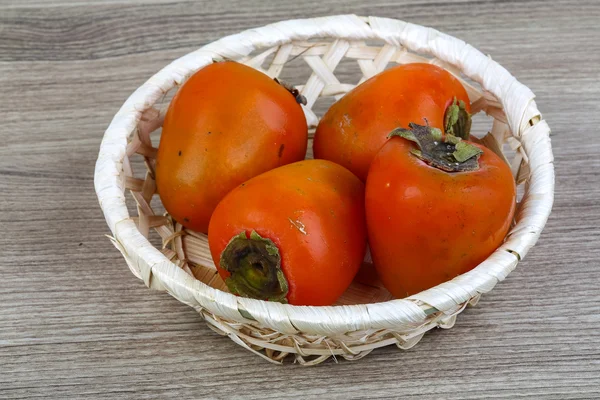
(445,152)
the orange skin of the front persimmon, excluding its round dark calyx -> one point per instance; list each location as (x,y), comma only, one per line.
(313,210)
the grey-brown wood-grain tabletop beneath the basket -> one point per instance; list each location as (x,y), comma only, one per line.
(75,323)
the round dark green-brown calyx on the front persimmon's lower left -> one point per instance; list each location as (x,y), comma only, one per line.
(255,266)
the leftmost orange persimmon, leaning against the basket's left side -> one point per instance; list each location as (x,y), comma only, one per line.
(226,124)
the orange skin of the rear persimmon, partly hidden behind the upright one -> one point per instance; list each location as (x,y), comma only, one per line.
(354,128)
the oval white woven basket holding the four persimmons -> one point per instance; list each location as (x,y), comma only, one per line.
(363,320)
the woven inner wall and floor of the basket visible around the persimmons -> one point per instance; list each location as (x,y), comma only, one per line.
(323,70)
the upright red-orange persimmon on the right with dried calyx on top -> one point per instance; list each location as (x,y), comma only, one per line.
(436,206)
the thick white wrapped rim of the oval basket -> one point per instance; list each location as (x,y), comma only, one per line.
(284,317)
